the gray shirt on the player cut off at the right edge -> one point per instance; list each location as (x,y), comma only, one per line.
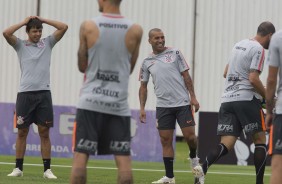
(275,60)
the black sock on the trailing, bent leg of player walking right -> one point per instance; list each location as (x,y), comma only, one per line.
(214,155)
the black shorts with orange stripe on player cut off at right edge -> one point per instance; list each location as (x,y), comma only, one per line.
(275,141)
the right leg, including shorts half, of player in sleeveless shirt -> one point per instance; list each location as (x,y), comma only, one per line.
(116,140)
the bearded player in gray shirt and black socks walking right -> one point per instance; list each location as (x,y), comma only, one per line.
(241,108)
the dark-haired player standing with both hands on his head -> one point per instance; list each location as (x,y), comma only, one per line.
(34,102)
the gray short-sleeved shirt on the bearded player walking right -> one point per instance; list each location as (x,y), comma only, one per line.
(246,55)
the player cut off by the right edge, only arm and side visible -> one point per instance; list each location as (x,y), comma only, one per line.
(274,122)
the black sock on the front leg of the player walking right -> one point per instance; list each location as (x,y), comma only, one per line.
(259,161)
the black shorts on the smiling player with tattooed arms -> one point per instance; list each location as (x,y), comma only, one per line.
(166,117)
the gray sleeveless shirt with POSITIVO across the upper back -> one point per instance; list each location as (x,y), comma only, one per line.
(105,88)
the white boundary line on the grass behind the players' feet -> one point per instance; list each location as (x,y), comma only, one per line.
(146,170)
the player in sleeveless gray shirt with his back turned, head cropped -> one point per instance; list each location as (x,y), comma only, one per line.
(108,51)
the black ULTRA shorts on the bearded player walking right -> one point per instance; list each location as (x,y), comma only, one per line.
(234,117)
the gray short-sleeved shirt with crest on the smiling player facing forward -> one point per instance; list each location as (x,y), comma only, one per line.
(166,69)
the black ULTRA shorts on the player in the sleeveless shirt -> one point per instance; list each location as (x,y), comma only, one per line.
(102,134)
